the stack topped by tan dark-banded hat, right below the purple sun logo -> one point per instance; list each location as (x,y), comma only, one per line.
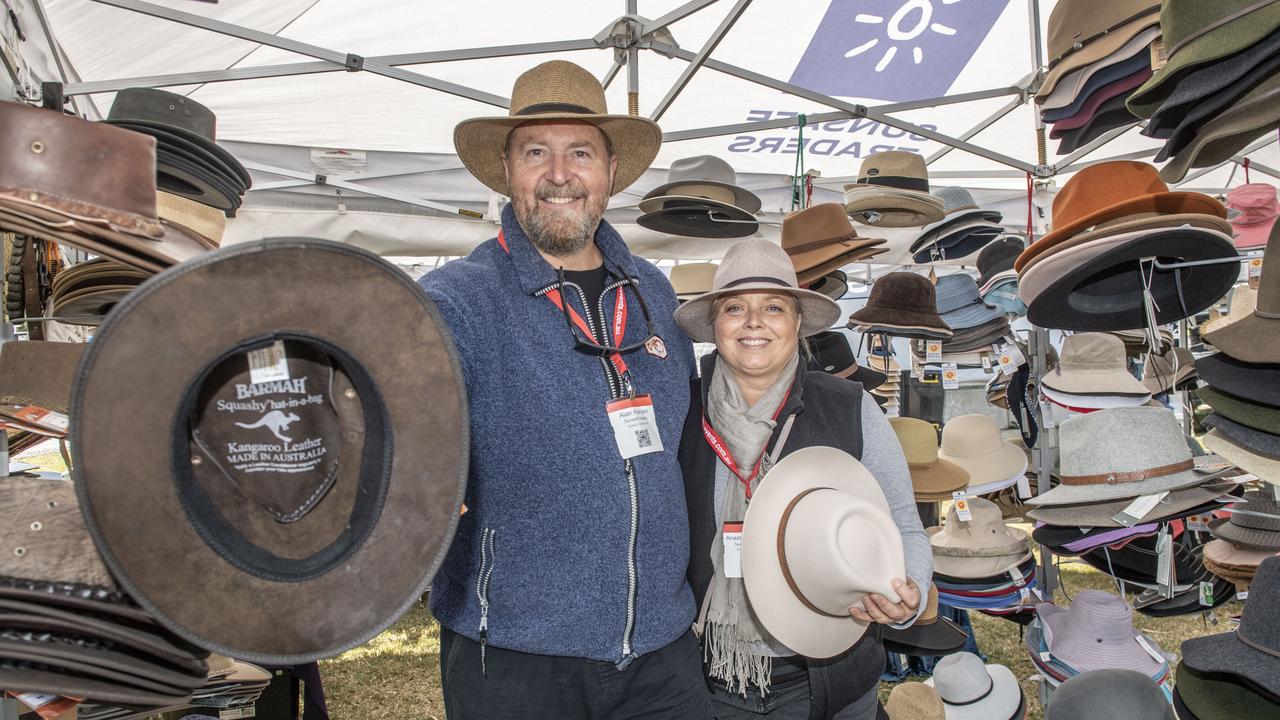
(893,192)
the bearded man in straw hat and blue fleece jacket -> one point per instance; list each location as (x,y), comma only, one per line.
(564,594)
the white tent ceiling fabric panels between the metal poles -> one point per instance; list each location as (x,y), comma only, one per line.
(886,51)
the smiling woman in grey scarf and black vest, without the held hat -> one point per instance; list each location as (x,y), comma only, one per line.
(752,393)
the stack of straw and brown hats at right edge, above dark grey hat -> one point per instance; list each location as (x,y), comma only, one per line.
(1249,536)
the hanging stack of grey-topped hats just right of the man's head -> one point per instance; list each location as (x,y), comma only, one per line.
(701,199)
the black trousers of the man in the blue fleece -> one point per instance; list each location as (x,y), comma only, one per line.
(666,685)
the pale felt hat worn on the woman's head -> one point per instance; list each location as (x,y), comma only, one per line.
(756,266)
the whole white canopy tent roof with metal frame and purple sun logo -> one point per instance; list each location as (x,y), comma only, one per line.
(344,112)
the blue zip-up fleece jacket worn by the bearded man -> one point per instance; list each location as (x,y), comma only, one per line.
(546,557)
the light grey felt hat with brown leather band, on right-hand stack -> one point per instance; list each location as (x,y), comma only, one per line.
(1121,453)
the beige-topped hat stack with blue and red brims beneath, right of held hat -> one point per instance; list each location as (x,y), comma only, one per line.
(981,563)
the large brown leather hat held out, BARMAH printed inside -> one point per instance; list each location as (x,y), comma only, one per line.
(280,458)
